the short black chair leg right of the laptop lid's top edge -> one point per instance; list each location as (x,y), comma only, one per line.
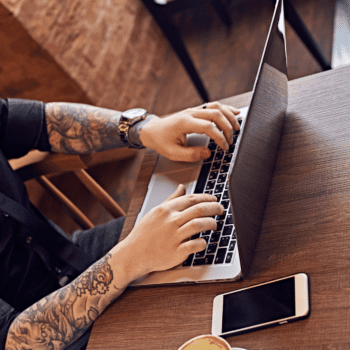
(299,27)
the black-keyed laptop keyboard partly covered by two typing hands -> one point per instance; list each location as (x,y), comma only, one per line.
(213,180)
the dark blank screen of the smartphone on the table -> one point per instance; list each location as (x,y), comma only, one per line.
(258,305)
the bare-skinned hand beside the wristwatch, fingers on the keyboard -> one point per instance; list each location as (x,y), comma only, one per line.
(167,135)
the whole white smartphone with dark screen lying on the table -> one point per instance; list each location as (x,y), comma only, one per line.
(267,304)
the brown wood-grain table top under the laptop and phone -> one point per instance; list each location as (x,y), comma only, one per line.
(306,228)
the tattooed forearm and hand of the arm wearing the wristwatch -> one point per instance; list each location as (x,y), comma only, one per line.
(78,128)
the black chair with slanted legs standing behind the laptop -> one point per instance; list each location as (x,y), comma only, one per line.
(163,11)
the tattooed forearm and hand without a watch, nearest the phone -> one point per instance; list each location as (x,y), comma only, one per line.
(159,241)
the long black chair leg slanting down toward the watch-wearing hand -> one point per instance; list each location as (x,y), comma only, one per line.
(172,34)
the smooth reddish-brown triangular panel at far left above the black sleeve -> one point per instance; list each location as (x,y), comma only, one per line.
(28,71)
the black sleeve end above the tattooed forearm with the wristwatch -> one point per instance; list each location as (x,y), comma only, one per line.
(22,127)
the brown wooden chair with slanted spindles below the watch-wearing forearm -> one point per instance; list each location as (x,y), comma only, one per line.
(41,165)
